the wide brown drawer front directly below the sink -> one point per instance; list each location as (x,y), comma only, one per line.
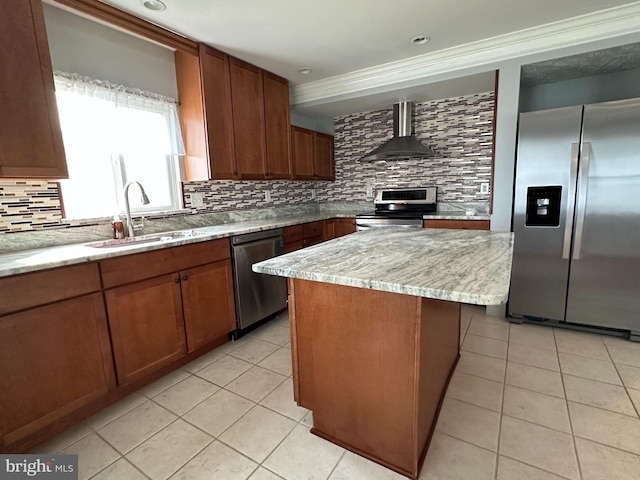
(140,266)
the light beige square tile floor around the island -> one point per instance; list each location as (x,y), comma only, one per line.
(525,402)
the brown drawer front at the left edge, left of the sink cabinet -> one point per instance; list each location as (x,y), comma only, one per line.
(38,288)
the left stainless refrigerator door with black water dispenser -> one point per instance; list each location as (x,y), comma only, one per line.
(547,159)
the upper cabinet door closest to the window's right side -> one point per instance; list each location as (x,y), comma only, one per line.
(216,91)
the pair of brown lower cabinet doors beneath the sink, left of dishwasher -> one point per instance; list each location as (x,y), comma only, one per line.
(173,313)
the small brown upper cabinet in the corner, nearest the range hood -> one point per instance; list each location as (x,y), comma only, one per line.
(312,155)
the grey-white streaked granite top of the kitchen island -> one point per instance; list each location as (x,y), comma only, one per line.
(457,265)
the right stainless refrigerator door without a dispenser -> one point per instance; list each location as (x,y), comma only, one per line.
(604,281)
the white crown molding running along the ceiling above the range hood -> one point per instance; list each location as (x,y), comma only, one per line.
(605,24)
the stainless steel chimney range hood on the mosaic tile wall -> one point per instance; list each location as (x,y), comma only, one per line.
(404,145)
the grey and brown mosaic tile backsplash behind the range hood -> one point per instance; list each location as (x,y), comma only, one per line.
(459,129)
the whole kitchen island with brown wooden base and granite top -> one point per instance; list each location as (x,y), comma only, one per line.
(375,326)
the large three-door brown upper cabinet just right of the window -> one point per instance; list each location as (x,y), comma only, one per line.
(234,118)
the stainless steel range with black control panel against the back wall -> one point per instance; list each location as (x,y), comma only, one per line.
(402,207)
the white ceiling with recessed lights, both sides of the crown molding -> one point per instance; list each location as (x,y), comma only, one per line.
(337,37)
